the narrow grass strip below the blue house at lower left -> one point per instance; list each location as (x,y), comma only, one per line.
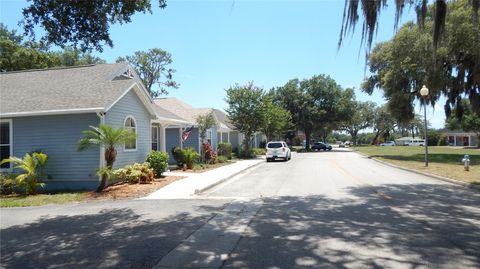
(40,199)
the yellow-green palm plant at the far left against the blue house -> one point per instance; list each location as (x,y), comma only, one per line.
(32,166)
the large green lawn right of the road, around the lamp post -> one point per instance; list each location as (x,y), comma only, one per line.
(443,161)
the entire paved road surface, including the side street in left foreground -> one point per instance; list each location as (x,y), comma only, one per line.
(320,210)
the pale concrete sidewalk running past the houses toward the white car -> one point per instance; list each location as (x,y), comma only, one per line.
(198,182)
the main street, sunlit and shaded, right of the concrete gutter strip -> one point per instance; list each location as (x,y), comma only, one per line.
(342,210)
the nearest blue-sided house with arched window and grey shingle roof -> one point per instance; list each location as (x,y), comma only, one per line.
(48,110)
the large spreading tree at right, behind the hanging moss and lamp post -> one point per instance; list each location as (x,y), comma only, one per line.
(402,65)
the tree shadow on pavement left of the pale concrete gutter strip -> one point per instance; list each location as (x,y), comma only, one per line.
(110,239)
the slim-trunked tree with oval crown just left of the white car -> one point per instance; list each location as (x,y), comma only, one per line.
(246,110)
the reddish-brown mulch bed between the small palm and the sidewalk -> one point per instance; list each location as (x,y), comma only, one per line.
(129,191)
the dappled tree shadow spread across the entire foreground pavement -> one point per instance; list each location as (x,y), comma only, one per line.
(422,225)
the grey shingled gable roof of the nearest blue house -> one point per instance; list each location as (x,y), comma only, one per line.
(88,88)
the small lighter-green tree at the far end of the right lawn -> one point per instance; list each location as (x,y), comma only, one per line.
(362,117)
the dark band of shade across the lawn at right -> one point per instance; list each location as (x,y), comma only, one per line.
(432,157)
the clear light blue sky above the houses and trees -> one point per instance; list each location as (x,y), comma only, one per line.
(216,44)
